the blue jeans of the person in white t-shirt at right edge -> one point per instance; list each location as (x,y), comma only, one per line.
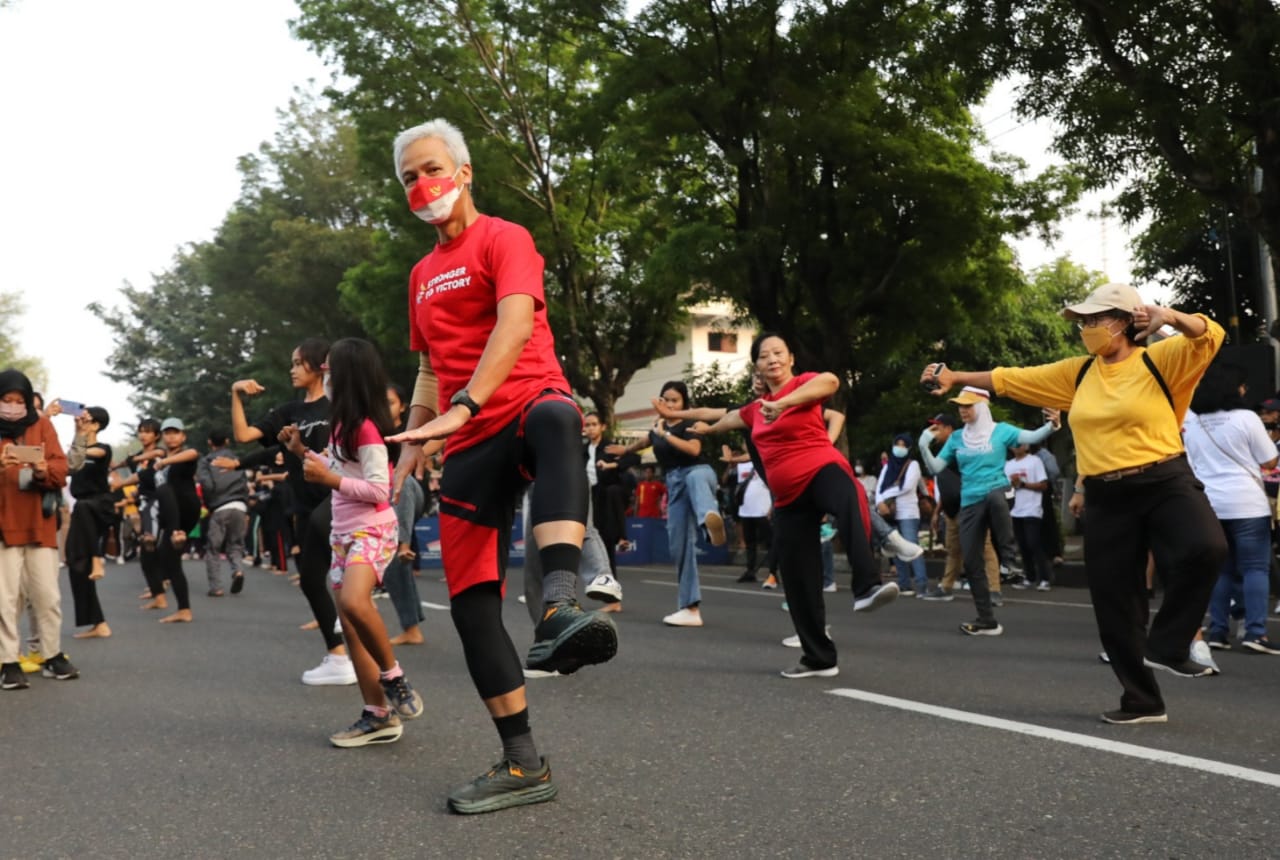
(1247,569)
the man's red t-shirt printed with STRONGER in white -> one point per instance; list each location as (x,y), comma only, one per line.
(454,295)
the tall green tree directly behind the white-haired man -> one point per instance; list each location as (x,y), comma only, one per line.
(523,81)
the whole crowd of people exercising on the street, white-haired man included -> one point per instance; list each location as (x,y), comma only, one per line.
(341,477)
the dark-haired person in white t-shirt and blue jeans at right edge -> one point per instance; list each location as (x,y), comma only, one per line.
(1228,449)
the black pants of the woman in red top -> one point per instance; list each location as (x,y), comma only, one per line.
(797,534)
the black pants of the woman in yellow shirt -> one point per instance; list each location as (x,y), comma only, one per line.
(1163,510)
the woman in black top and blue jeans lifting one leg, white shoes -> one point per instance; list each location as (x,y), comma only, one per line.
(691,500)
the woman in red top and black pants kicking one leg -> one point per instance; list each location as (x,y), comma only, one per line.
(810,478)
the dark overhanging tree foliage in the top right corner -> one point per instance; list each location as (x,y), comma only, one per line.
(1153,93)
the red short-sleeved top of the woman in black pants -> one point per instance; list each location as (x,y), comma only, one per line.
(796,447)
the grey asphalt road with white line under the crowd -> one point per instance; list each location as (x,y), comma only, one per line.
(199,742)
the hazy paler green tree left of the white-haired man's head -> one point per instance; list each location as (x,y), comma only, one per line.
(237,305)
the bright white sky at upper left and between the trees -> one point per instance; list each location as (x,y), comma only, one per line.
(124,123)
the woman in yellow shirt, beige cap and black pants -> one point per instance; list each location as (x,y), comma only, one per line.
(1127,405)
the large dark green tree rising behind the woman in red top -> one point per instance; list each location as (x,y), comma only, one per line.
(838,196)
